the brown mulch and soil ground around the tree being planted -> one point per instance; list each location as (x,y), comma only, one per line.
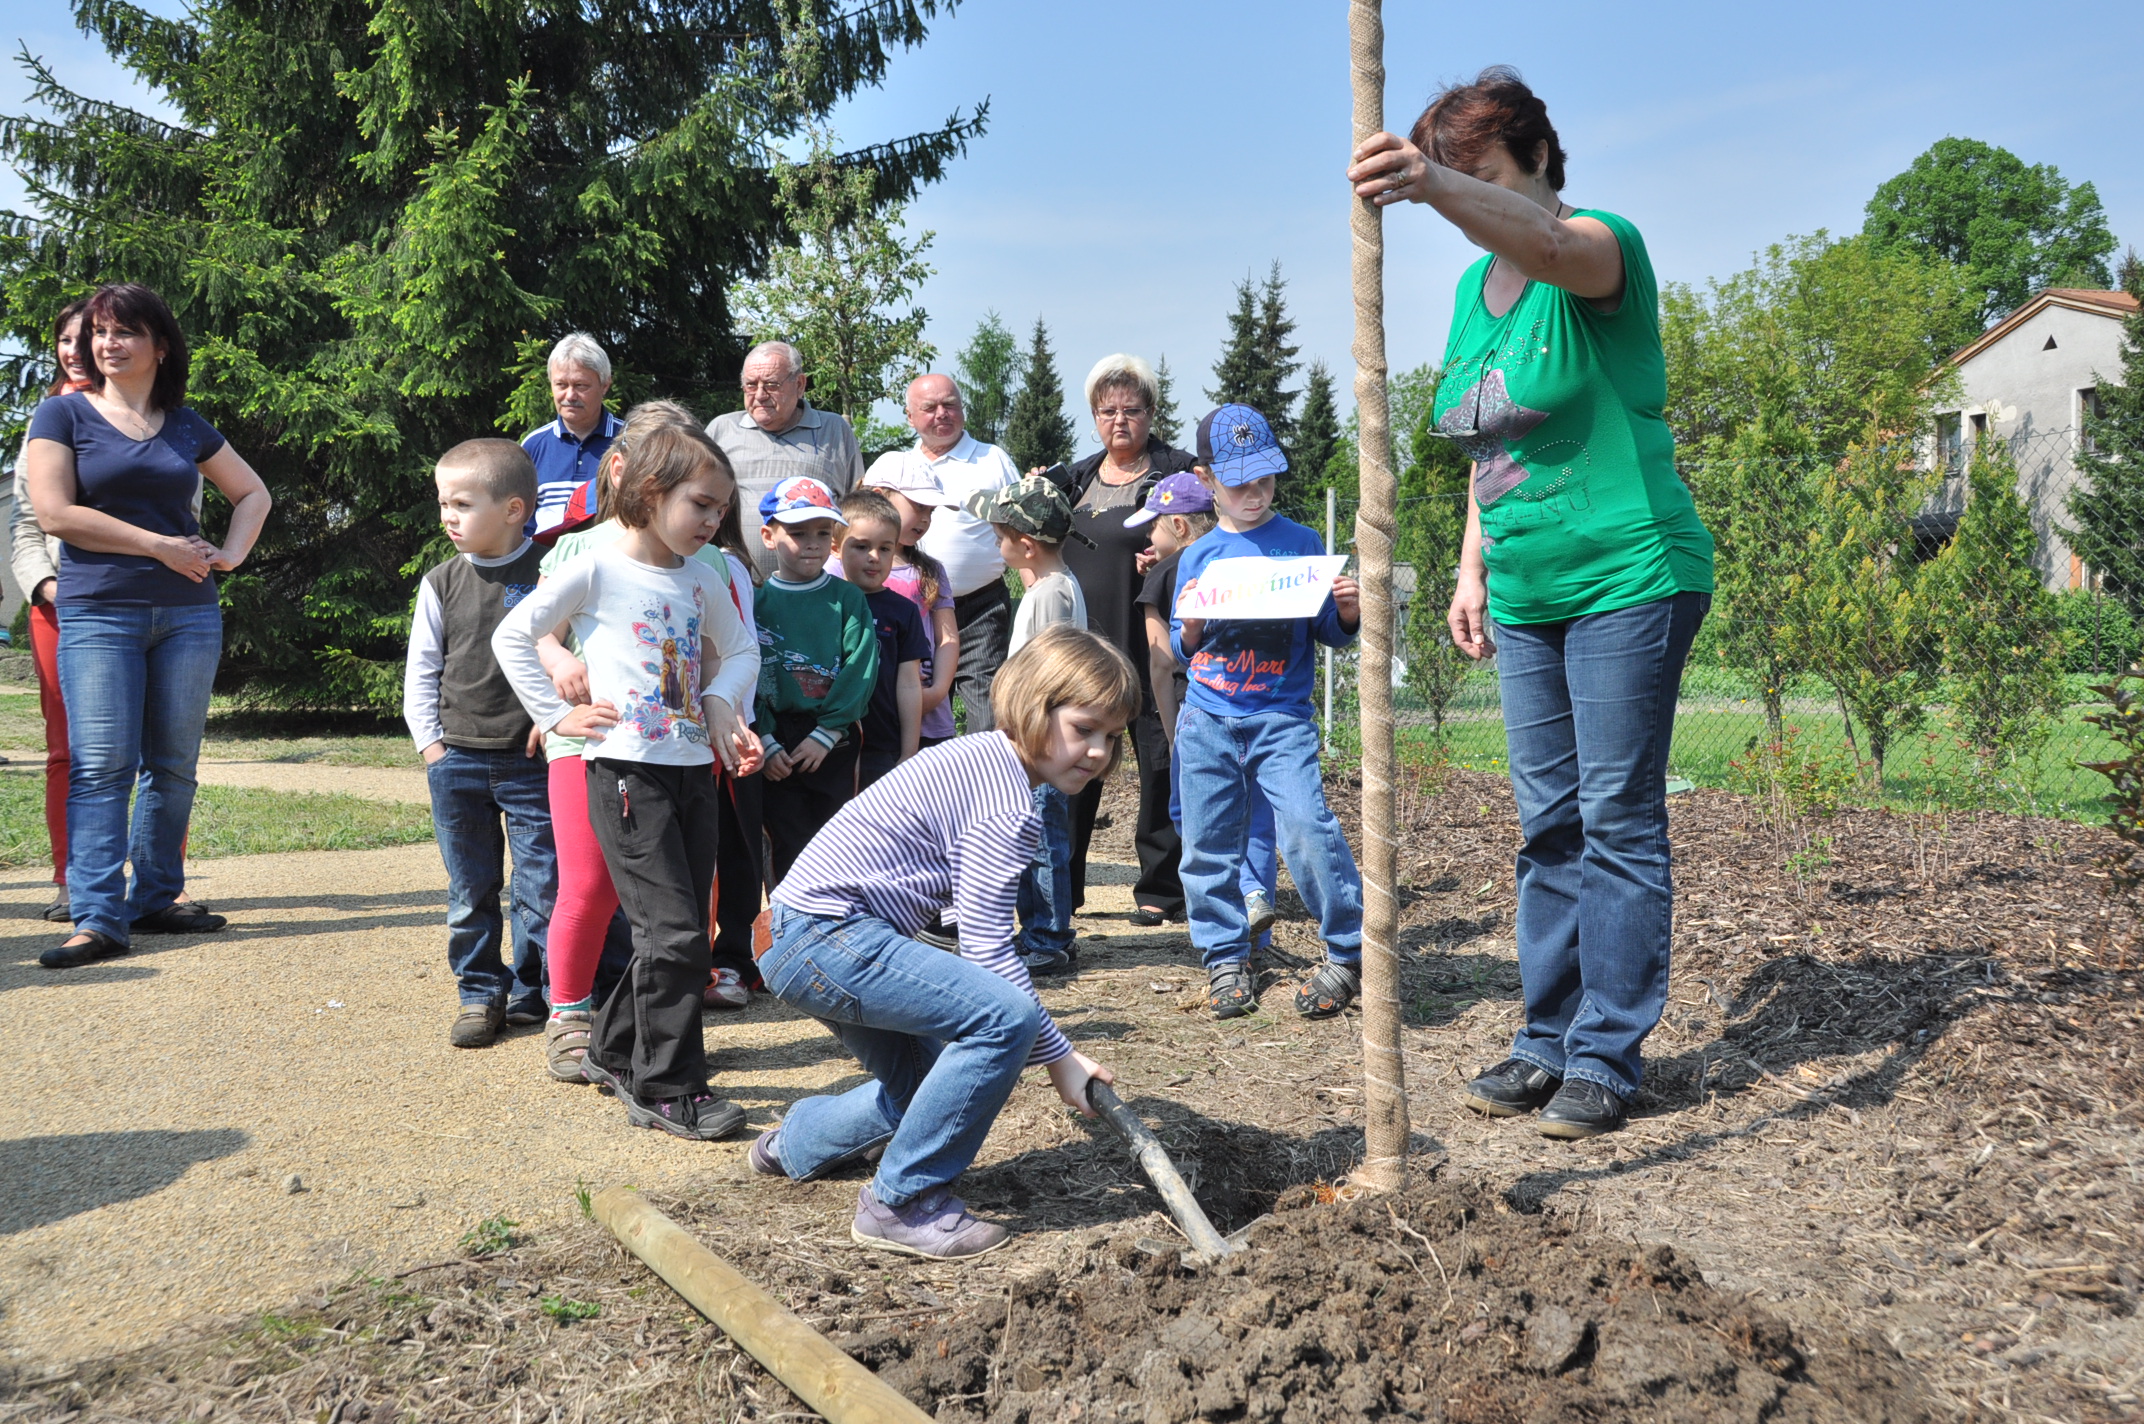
(1886,1168)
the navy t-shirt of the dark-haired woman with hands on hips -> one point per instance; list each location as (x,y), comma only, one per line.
(147,484)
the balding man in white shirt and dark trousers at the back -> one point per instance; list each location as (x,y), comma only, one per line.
(959,464)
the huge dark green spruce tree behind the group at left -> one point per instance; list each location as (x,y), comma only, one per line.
(374,222)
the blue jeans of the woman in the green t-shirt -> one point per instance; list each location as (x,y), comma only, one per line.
(1590,713)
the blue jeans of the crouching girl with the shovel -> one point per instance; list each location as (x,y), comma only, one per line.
(942,1039)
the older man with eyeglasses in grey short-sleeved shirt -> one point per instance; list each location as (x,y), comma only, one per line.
(781,436)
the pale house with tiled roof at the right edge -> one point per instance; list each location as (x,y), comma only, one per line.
(2029,381)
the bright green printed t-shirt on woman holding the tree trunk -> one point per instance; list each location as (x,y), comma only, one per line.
(1562,409)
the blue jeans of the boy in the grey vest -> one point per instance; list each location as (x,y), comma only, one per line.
(473,792)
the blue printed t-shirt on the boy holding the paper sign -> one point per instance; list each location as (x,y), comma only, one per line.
(1249,666)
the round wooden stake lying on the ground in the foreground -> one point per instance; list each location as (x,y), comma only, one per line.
(796,1354)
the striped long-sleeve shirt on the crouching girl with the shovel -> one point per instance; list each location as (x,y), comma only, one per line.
(951,827)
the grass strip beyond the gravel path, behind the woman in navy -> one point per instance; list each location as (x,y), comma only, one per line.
(230,822)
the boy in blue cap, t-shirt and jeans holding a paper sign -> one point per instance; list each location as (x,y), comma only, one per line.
(1247,722)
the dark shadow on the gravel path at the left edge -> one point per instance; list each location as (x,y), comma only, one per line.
(53,1178)
